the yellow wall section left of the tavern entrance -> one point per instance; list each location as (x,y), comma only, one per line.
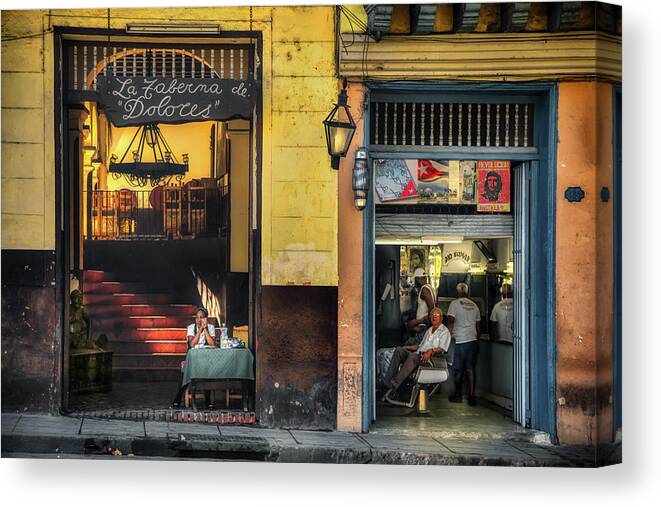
(28,197)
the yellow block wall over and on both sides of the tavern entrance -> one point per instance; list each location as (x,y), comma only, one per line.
(299,207)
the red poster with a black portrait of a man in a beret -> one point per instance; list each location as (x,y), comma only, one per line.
(493,178)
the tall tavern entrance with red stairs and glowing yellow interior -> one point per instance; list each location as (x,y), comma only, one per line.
(159,219)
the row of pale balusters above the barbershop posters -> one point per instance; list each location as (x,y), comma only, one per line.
(433,124)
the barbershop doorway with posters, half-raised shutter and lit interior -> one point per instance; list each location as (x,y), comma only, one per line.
(452,234)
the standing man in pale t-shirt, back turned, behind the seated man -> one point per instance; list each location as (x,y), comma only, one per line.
(464,324)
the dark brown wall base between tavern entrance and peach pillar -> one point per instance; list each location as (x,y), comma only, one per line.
(296,358)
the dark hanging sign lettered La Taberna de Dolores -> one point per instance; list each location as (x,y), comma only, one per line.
(139,100)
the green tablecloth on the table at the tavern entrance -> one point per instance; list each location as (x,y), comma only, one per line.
(218,364)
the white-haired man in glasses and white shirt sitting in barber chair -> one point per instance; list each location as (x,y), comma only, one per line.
(408,358)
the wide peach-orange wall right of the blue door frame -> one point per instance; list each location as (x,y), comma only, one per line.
(584,264)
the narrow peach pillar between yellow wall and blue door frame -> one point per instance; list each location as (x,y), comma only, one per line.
(350,287)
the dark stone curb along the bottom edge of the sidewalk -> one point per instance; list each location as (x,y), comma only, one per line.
(265,449)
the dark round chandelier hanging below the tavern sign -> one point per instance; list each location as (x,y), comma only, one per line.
(160,171)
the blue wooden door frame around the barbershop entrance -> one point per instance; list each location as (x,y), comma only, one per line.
(542,230)
